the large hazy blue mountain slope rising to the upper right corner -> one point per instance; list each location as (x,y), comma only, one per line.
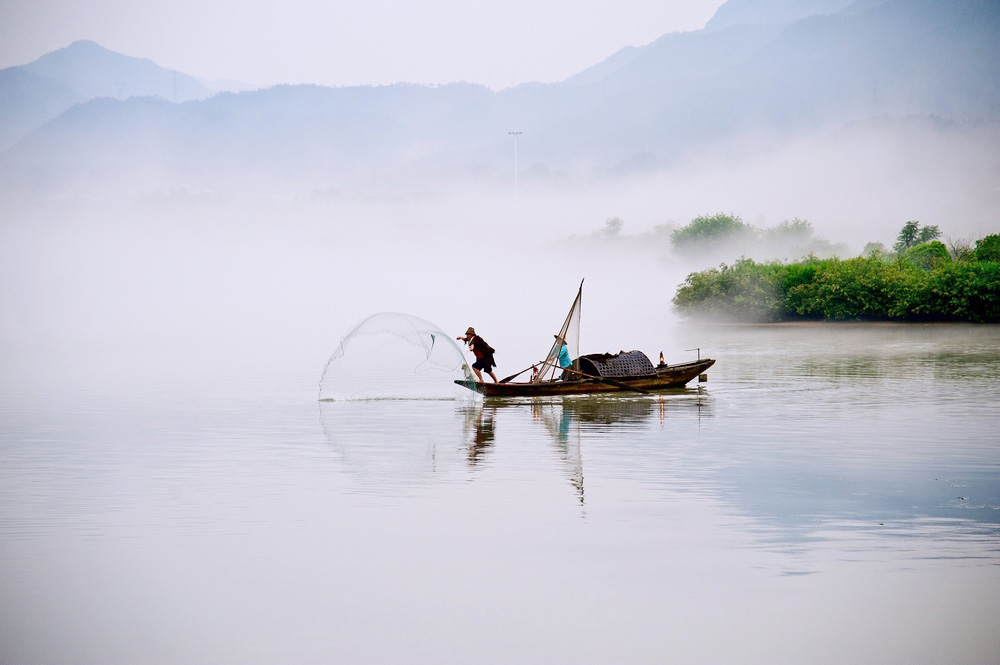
(688,91)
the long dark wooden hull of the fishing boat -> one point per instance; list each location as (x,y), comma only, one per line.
(671,376)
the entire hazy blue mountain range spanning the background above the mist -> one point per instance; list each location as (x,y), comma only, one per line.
(641,109)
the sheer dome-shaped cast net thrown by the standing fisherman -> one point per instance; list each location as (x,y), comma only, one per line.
(395,356)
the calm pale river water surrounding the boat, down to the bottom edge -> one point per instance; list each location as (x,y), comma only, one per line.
(830,495)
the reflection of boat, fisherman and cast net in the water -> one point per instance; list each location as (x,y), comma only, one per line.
(395,446)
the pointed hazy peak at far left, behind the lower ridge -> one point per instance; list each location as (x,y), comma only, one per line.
(34,93)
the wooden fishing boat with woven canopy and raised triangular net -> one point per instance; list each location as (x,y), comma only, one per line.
(591,374)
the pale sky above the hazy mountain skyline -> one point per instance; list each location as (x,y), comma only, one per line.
(351,43)
